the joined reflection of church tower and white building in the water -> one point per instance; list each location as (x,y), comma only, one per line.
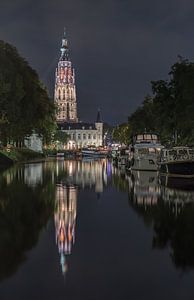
(85,174)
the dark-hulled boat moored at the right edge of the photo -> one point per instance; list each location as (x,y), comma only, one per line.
(177,161)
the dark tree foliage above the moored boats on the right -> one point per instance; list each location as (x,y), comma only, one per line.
(170,110)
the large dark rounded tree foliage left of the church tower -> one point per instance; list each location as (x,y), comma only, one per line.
(24,102)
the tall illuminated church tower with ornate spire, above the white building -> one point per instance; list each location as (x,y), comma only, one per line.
(65,94)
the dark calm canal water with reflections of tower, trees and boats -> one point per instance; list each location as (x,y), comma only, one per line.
(87,230)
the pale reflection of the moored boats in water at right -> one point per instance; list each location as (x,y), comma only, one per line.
(146,190)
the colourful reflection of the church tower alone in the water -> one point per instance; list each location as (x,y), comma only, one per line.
(65,219)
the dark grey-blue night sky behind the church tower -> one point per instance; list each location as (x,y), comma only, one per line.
(117,46)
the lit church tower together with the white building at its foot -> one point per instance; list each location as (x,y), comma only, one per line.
(80,134)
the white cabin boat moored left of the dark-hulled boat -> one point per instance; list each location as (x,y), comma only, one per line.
(145,152)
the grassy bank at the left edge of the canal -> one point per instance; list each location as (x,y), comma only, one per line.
(9,156)
